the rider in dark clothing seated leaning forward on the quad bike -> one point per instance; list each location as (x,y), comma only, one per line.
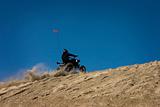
(66,56)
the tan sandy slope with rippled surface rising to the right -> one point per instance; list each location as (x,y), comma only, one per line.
(129,86)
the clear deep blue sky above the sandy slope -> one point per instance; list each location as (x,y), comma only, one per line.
(104,33)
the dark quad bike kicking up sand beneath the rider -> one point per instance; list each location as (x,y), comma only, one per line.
(73,64)
